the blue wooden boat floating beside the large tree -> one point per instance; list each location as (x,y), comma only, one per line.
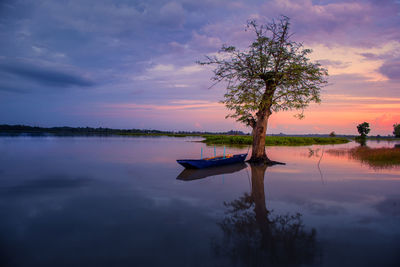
(212,162)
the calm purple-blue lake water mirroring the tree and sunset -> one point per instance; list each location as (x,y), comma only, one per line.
(93,201)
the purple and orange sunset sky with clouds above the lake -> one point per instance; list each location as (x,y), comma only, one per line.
(131,64)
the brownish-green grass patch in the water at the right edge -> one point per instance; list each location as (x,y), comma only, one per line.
(377,158)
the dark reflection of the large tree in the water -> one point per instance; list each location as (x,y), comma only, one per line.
(253,236)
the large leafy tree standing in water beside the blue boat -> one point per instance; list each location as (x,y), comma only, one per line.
(271,75)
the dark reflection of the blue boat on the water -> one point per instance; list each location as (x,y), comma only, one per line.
(194,174)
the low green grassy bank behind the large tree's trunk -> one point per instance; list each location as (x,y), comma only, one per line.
(273,140)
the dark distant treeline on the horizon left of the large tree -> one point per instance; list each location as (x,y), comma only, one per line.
(65,130)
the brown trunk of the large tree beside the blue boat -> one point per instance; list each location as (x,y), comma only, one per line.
(259,132)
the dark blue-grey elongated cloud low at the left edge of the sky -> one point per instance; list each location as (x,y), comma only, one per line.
(45,75)
